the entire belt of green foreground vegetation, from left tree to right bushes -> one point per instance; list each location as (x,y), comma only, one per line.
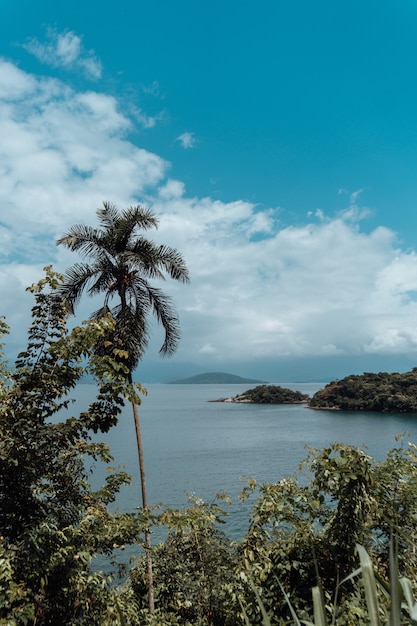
(336,544)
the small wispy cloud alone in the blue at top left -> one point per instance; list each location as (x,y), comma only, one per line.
(65,50)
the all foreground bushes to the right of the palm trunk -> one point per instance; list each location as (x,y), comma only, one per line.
(303,535)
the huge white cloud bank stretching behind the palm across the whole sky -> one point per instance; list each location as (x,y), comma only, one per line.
(257,290)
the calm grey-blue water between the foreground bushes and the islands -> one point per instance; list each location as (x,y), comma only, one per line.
(194,445)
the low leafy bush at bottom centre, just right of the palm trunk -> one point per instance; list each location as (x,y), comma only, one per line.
(194,568)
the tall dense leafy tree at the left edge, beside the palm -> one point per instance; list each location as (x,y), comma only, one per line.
(52,523)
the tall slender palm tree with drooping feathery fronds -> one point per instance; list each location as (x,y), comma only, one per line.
(122,264)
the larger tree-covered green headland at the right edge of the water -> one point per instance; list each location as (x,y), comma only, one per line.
(381,392)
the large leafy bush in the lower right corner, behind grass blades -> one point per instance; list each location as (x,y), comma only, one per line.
(304,534)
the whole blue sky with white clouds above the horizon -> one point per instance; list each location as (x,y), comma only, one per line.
(275,141)
